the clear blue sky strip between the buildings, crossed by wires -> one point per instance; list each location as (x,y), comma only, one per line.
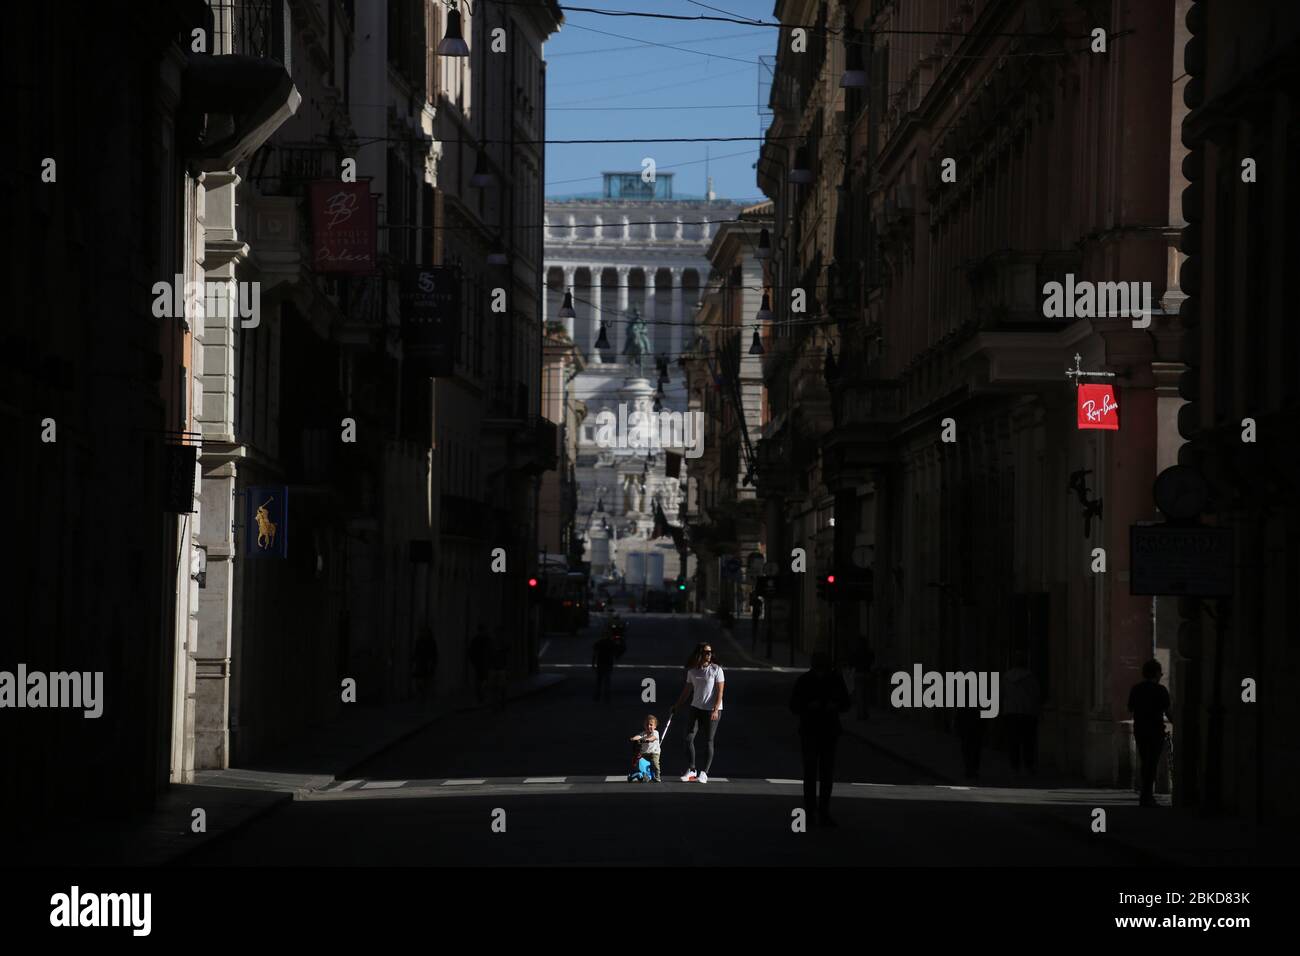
(601,85)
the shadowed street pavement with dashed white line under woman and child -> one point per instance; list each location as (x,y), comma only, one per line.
(557,762)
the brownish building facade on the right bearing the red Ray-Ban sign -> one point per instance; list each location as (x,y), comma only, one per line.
(924,399)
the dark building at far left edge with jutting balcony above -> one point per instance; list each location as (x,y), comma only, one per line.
(107,414)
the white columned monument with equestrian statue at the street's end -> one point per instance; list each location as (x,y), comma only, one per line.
(636,250)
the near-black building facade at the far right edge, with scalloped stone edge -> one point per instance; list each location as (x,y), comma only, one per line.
(1243,403)
